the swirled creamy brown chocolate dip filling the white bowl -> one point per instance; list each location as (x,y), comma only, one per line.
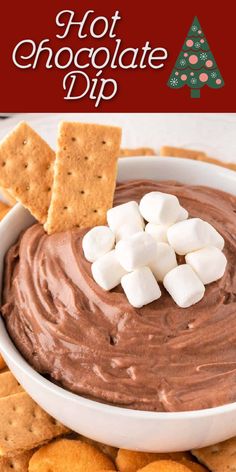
(94,343)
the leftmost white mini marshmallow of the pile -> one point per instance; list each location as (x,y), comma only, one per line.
(97,242)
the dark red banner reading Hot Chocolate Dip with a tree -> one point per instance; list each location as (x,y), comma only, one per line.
(118,56)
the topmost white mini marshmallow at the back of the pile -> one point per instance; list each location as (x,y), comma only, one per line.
(160,208)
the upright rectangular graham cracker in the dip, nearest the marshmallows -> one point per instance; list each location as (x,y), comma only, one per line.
(84,176)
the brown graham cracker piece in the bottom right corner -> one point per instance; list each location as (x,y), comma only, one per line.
(220,457)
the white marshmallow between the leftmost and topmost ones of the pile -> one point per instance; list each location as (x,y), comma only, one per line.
(125,213)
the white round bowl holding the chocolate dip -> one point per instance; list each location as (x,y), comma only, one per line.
(131,429)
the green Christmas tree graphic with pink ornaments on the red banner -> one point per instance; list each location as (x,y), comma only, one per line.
(195,65)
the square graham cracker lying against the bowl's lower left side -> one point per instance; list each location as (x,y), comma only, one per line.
(24,425)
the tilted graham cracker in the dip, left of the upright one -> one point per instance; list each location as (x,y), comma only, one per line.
(26,169)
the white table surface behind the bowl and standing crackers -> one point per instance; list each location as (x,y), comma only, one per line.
(214,133)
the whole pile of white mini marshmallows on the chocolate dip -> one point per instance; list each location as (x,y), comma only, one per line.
(140,255)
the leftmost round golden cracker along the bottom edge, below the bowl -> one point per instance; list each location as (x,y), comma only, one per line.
(67,455)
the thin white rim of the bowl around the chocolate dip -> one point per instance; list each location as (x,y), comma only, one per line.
(16,358)
